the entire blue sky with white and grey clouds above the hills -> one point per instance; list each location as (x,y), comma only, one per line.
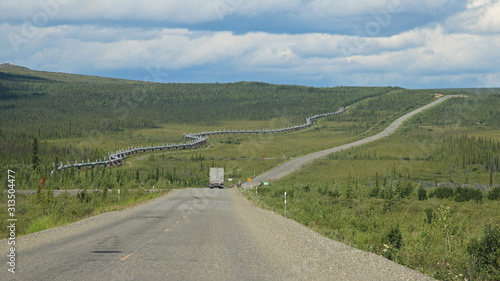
(408,43)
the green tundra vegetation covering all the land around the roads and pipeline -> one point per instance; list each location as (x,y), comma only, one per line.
(426,197)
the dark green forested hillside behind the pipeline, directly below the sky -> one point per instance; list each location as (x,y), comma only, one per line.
(47,104)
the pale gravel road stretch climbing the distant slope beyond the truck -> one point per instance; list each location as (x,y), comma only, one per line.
(295,164)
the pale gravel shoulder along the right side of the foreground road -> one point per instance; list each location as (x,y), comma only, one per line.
(307,255)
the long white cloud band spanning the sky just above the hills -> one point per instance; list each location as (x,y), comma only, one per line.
(414,52)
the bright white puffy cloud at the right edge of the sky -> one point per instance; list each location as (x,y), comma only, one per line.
(438,53)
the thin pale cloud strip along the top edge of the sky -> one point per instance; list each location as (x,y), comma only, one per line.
(200,11)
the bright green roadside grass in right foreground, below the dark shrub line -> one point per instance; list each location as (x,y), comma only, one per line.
(362,222)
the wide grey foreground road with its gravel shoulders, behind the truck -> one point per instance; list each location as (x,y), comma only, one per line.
(193,234)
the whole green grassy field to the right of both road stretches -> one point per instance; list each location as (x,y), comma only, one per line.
(371,197)
